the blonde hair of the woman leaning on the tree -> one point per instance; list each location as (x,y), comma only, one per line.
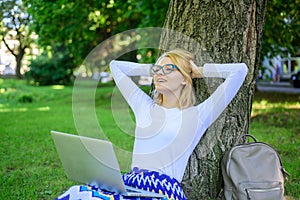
(181,58)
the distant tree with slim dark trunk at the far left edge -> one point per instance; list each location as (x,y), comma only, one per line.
(15,27)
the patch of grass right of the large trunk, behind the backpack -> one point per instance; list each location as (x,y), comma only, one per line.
(275,120)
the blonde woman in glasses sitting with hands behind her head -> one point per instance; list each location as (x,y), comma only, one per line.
(170,125)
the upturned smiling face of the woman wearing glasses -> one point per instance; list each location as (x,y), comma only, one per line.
(171,83)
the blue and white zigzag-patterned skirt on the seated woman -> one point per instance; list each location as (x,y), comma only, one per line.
(138,178)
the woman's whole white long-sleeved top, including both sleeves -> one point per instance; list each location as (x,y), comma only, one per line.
(166,137)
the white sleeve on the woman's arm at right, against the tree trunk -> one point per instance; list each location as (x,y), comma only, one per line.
(234,75)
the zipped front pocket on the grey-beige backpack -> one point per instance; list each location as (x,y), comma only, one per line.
(263,190)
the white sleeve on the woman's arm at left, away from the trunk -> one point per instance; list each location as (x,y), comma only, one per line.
(137,99)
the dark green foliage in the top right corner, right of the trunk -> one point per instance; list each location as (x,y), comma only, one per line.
(282,26)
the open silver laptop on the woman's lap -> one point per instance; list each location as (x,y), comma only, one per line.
(93,161)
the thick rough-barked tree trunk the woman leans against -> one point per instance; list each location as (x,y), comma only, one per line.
(224,31)
